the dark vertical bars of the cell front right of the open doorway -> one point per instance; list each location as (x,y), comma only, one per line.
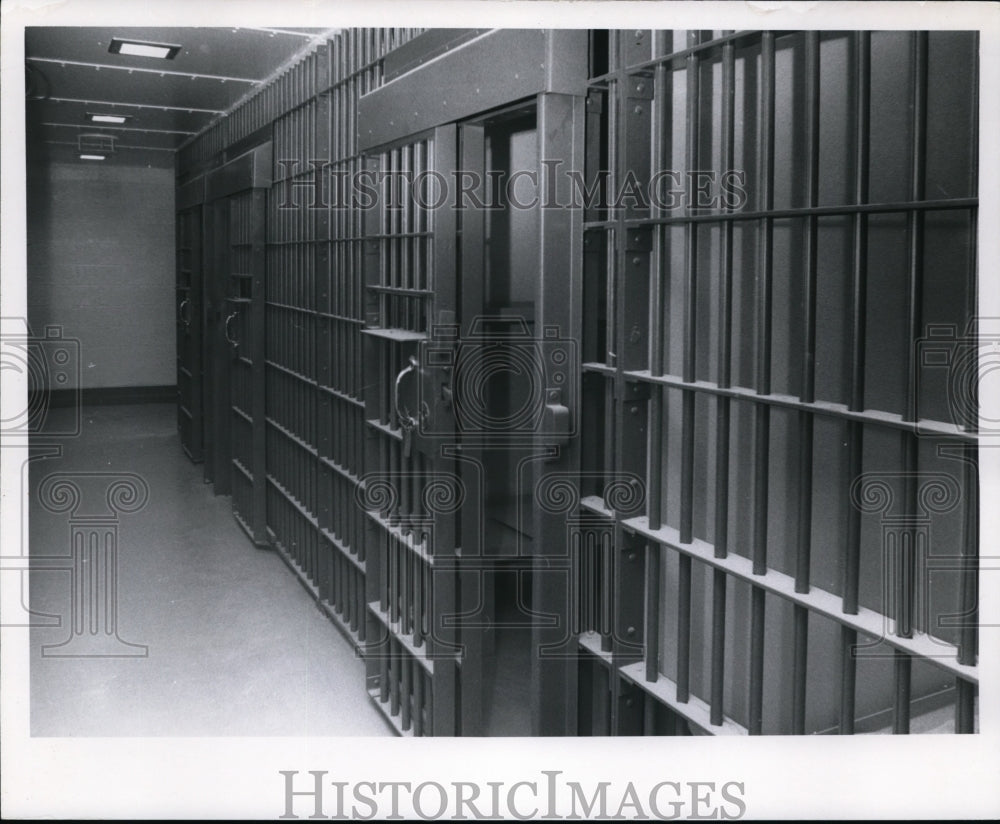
(696,49)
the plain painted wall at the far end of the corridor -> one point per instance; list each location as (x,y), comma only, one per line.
(101,266)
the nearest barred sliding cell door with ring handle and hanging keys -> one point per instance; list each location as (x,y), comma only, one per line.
(412,490)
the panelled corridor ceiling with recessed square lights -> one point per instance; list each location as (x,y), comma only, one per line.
(71,72)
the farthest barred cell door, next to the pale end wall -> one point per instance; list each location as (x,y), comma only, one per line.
(189,331)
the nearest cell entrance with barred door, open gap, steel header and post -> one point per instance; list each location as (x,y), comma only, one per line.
(472,309)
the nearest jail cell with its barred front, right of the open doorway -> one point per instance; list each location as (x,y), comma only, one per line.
(774,367)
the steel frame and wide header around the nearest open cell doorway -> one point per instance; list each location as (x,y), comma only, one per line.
(448,90)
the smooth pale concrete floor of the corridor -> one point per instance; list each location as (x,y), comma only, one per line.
(236,647)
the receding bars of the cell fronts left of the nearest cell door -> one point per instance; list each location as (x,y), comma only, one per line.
(313,372)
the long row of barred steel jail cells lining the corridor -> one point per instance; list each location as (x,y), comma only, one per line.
(797,550)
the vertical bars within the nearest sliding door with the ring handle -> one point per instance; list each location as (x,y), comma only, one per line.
(397,297)
